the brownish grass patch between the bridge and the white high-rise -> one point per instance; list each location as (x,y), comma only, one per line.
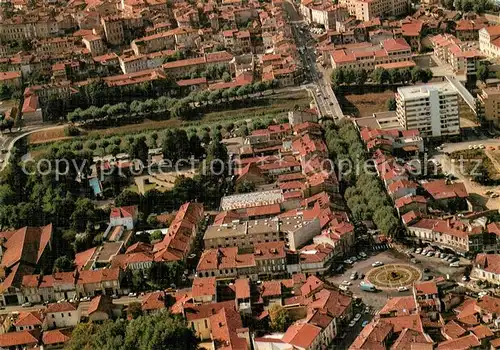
(366,104)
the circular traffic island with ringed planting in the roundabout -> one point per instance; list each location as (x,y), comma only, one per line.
(393,276)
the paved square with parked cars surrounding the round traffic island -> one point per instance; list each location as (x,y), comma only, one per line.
(432,266)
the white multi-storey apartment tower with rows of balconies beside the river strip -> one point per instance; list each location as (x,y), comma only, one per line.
(432,109)
